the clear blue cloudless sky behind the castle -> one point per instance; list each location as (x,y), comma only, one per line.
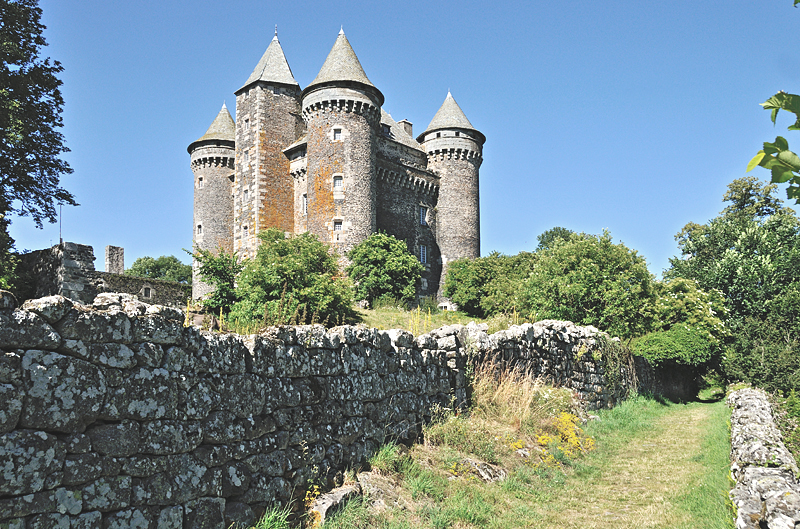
(623,115)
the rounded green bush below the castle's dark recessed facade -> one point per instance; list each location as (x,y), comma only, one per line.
(381,265)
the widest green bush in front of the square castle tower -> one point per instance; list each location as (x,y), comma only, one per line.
(289,276)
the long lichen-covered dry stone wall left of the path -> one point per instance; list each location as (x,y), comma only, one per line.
(117,416)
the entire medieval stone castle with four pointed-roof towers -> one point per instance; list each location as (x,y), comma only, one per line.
(327,159)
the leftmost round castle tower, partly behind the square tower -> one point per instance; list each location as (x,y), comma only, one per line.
(212,160)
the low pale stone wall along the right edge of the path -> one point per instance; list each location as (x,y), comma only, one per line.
(767,494)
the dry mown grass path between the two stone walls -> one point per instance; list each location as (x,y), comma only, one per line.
(637,485)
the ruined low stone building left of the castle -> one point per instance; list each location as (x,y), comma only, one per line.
(67,269)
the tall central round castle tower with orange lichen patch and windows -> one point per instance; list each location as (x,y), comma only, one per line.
(342,110)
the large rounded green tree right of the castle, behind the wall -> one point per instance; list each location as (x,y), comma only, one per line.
(589,280)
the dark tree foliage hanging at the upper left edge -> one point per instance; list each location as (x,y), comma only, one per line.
(30,114)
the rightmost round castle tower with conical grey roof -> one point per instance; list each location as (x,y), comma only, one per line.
(454,149)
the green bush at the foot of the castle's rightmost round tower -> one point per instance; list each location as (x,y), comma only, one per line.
(487,286)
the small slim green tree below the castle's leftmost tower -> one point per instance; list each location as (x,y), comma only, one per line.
(219,270)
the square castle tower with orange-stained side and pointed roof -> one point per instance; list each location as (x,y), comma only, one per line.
(267,120)
